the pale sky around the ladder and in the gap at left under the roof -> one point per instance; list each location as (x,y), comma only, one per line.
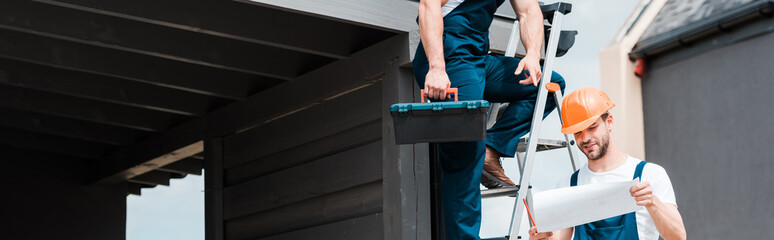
(177,211)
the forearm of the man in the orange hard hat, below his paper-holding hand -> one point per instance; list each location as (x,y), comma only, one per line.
(667,219)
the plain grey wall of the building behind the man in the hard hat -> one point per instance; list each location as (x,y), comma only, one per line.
(708,118)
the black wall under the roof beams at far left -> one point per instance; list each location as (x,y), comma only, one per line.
(44,197)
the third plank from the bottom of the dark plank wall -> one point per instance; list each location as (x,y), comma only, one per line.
(323,176)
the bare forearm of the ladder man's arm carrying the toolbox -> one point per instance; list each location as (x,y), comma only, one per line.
(431,32)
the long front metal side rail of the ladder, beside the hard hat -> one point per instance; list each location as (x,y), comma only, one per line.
(537,121)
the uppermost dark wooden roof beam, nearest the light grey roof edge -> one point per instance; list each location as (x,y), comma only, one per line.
(241,22)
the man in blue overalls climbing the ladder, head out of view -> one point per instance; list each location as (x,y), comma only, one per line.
(454,53)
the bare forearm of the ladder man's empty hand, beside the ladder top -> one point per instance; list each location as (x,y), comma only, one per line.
(530,25)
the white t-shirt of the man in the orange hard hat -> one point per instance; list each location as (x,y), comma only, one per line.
(653,173)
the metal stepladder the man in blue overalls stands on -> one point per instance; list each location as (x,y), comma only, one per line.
(529,146)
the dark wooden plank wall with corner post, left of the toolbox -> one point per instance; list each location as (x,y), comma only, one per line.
(315,157)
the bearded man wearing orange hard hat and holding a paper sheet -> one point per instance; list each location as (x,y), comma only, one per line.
(585,114)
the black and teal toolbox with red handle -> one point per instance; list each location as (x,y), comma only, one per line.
(440,121)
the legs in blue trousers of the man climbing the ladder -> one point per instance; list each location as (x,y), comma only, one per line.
(462,162)
